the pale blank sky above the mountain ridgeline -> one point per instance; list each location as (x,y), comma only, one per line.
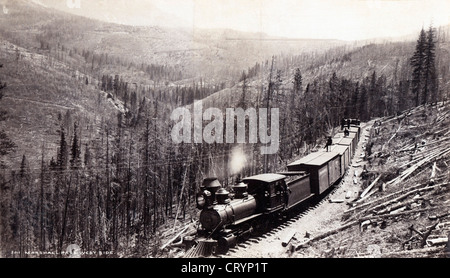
(312,19)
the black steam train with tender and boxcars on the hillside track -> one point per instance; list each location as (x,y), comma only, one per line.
(256,201)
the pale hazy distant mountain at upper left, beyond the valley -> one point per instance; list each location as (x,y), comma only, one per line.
(209,53)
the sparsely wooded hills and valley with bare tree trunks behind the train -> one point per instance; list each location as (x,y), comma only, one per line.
(86,143)
